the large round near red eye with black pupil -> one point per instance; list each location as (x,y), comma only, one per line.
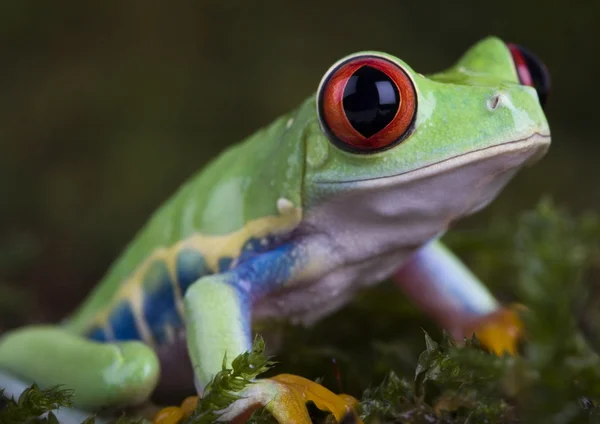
(367,104)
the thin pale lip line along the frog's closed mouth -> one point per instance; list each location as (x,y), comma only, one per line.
(537,142)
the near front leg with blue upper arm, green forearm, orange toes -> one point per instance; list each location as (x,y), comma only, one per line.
(218,318)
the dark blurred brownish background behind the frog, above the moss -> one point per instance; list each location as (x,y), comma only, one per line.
(106,107)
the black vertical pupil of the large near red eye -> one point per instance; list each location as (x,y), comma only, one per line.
(371,100)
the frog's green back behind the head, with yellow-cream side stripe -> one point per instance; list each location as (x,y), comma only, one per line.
(250,191)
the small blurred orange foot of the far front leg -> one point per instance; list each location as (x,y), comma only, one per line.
(500,331)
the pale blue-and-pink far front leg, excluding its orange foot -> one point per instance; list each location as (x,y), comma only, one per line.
(436,280)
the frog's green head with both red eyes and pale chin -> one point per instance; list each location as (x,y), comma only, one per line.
(391,143)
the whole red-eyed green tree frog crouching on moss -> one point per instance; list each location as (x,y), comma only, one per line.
(353,187)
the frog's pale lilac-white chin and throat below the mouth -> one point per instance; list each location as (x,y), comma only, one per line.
(406,210)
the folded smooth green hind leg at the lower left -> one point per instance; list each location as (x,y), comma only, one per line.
(101,374)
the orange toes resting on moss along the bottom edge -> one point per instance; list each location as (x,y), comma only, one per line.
(284,396)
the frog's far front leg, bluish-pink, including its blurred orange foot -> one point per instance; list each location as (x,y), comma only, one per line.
(443,287)
